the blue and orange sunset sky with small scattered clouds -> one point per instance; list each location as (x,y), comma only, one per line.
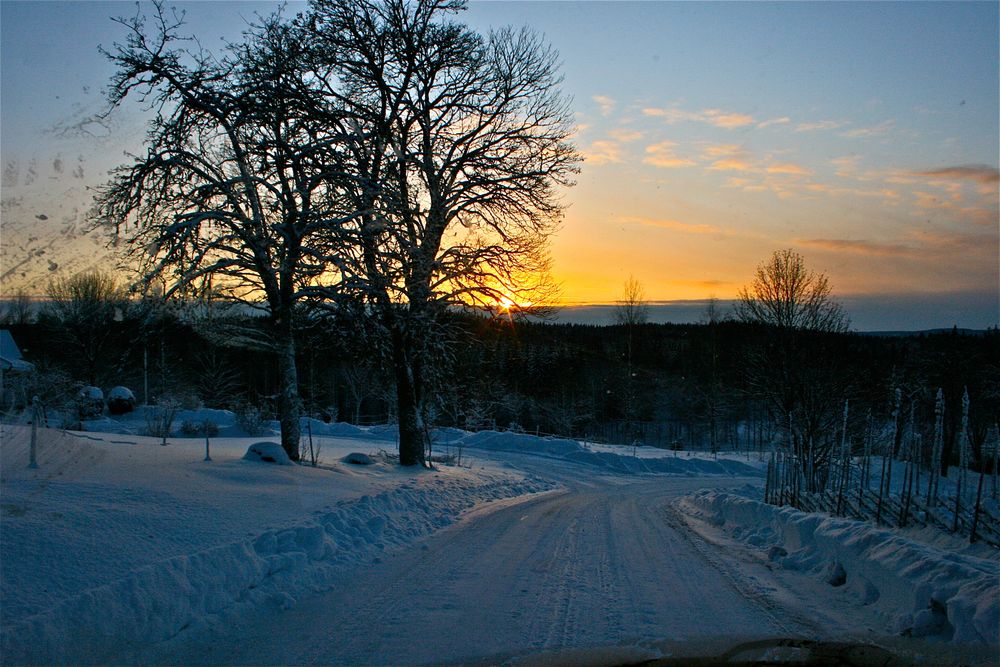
(862,135)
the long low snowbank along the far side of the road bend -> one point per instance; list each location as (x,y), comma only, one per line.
(611,459)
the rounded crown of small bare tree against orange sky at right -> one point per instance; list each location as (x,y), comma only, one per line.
(785,294)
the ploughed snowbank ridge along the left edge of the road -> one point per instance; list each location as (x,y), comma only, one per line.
(158,601)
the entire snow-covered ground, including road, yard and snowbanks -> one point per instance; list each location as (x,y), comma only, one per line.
(117,548)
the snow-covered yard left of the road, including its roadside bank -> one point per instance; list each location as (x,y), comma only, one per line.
(115,542)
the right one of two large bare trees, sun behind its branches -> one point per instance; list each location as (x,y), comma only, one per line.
(461,143)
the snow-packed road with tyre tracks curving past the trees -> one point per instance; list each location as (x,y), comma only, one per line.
(604,563)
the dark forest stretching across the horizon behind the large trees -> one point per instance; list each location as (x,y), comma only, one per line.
(721,384)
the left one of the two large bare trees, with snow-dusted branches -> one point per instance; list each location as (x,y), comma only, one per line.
(233,184)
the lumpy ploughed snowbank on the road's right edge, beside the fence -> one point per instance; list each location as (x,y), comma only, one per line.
(923,591)
